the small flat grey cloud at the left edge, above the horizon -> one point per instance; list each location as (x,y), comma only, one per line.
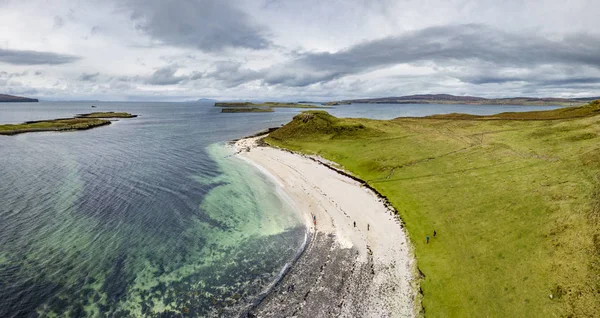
(18,57)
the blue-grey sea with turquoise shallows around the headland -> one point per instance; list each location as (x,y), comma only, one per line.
(149,216)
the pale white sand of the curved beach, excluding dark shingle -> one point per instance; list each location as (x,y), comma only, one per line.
(337,202)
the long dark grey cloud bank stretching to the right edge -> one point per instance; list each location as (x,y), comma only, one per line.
(448,45)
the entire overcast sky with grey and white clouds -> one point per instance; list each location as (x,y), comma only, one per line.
(292,49)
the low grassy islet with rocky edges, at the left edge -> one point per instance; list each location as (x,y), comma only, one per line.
(79,122)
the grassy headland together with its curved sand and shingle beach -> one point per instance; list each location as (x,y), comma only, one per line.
(500,211)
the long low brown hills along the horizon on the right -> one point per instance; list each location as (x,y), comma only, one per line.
(473,100)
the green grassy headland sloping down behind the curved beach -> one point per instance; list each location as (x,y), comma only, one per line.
(516,204)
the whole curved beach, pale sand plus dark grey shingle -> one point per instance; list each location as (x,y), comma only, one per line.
(346,270)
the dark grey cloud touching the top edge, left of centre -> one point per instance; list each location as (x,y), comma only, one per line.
(208,25)
